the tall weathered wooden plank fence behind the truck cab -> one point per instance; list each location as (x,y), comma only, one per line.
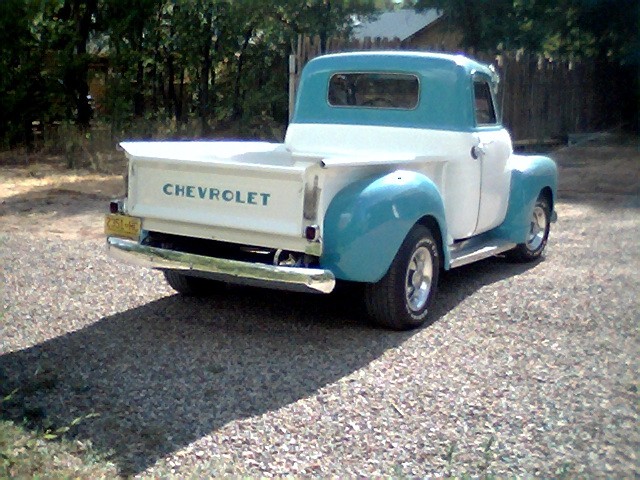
(542,101)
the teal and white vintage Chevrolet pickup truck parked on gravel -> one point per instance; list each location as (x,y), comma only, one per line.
(395,167)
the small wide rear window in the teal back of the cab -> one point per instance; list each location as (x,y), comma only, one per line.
(374,90)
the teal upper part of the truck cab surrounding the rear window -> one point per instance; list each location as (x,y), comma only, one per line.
(446,85)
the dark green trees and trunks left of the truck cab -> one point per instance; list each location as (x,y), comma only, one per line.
(177,63)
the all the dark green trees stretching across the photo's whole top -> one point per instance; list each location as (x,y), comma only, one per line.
(199,67)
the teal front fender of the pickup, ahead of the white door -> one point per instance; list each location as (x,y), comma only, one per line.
(529,176)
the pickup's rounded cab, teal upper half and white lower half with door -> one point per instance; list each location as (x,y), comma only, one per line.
(436,111)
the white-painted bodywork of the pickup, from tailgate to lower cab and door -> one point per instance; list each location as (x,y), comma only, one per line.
(337,154)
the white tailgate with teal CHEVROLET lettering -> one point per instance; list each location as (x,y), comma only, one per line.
(254,190)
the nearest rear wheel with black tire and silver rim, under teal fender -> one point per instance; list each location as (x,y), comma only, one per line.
(402,298)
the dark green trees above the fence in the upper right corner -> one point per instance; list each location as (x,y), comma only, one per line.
(555,28)
